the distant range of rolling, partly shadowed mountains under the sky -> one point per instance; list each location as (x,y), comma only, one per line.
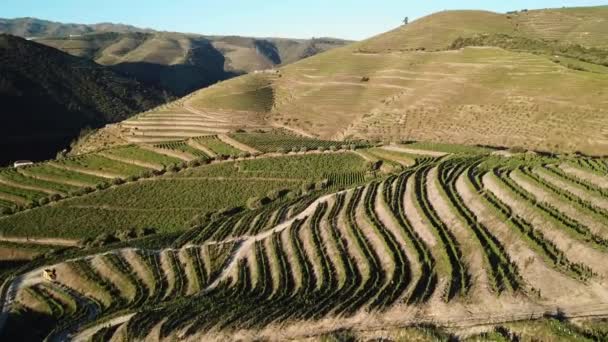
(177,62)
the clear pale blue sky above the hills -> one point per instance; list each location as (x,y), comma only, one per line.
(351,19)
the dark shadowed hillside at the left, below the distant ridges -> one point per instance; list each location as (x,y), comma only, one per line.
(48,97)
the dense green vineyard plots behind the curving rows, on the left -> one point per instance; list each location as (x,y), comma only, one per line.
(167,186)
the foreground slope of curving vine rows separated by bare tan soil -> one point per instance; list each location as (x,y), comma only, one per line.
(463,237)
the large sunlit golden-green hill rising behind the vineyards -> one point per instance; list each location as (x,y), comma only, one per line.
(467,77)
